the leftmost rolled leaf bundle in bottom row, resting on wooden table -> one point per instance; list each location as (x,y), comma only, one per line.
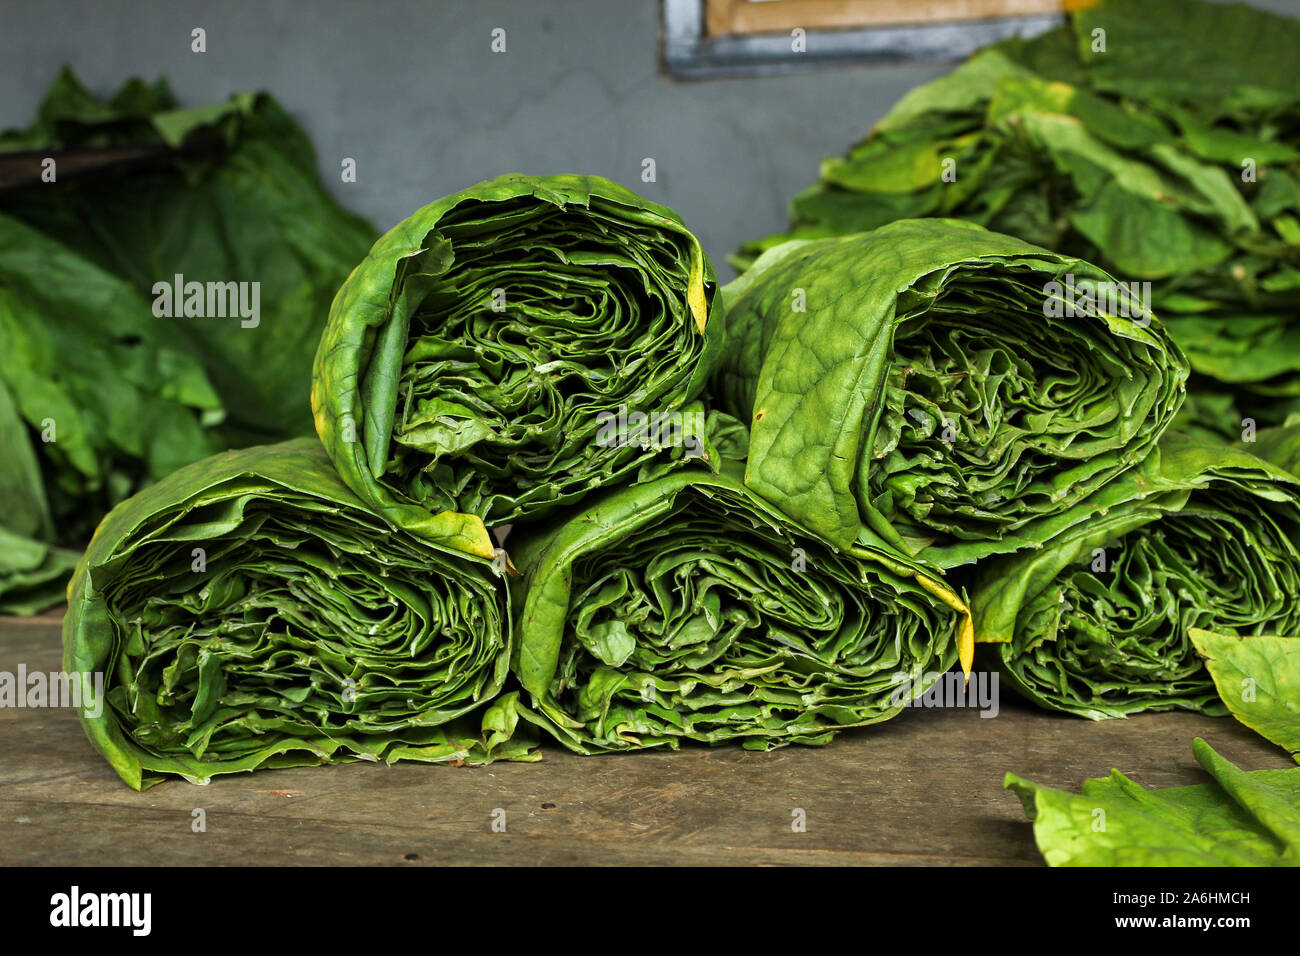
(249,612)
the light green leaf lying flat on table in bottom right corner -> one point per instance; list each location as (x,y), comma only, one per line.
(1242,819)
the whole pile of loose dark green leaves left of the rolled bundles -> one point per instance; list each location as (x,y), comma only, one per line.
(98,395)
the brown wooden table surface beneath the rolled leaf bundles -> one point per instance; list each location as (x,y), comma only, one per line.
(922,789)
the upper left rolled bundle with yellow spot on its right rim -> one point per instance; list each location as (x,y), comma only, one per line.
(495,352)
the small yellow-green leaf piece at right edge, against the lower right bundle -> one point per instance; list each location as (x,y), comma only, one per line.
(1259,680)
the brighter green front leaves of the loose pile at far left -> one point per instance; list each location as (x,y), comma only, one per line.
(97,399)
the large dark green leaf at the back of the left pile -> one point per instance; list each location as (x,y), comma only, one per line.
(233,197)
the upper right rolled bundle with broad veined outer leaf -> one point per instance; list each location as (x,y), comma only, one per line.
(939,386)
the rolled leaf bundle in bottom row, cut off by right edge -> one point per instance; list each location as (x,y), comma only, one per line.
(1097,622)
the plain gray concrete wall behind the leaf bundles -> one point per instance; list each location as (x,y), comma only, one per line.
(413,92)
